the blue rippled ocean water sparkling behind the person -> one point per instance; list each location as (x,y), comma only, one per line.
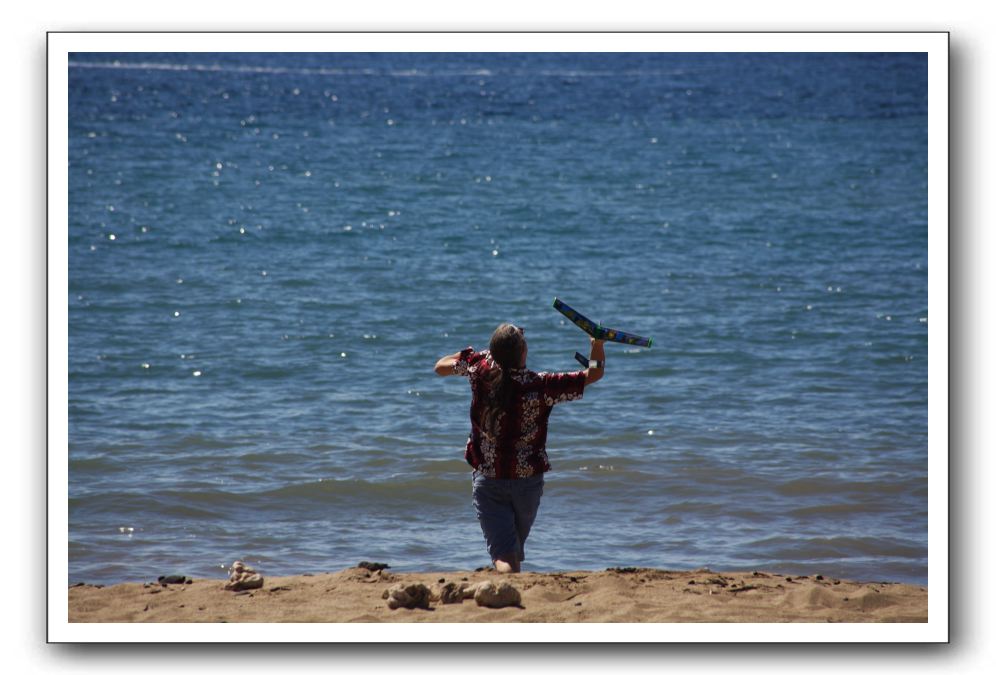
(268,253)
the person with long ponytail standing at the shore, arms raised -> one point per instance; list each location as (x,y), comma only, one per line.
(509,410)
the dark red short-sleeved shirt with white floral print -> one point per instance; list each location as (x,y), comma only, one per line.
(516,448)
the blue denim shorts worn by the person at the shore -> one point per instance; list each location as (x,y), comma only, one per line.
(506,509)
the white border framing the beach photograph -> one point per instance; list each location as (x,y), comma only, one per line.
(935,44)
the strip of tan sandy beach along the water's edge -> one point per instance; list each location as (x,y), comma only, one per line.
(631,595)
